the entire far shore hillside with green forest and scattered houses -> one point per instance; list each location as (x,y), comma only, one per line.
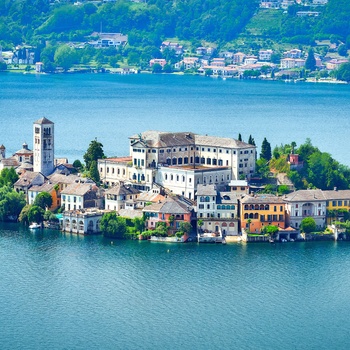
(277,39)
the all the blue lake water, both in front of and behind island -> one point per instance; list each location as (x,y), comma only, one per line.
(66,292)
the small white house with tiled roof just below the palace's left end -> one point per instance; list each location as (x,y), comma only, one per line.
(121,196)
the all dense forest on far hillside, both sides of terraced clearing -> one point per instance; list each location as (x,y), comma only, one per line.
(217,21)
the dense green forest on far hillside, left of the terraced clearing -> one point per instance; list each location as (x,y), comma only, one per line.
(211,20)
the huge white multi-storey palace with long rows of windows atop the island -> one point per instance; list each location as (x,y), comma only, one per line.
(179,162)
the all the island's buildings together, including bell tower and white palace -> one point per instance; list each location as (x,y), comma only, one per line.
(192,187)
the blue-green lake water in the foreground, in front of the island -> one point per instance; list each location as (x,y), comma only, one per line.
(67,292)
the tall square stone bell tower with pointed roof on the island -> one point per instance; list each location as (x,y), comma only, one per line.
(43,146)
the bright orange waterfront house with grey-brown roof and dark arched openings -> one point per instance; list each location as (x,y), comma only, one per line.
(258,211)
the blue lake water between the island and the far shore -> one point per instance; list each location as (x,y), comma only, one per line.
(114,107)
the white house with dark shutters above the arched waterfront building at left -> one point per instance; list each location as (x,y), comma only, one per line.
(80,196)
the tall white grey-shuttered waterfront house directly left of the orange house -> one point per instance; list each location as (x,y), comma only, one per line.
(218,211)
